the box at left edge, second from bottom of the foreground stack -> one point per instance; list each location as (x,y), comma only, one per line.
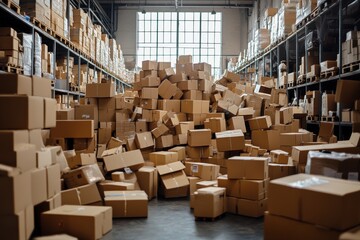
(15,190)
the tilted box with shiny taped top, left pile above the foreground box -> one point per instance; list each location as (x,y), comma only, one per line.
(83,176)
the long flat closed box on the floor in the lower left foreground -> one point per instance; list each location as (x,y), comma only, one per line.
(83,222)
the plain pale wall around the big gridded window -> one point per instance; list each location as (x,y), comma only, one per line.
(234,30)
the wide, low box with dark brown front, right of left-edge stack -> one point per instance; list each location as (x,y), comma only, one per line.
(65,129)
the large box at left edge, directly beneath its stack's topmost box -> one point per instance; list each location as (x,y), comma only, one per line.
(22,112)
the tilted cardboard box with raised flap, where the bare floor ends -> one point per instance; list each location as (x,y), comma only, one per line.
(173,180)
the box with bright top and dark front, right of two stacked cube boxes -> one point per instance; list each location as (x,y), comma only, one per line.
(230,140)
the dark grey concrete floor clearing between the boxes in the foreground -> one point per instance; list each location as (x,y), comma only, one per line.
(173,219)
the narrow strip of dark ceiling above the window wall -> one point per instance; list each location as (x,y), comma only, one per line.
(178,4)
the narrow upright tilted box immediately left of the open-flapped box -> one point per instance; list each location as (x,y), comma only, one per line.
(147,177)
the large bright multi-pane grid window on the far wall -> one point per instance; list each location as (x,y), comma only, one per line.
(162,36)
